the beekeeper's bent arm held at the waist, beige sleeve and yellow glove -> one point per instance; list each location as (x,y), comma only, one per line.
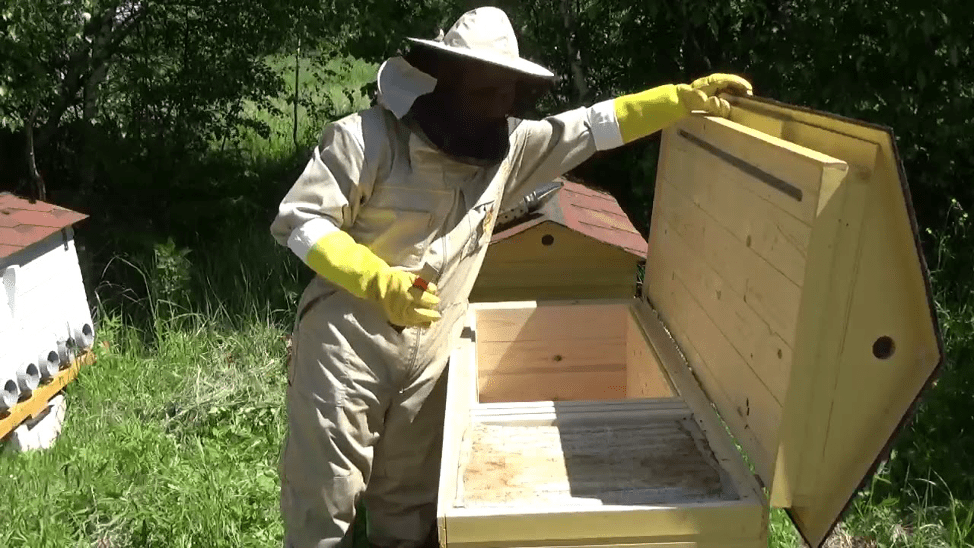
(323,201)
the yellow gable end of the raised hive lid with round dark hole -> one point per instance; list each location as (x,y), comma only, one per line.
(861,397)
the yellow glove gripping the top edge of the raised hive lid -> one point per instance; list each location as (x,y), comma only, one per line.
(644,113)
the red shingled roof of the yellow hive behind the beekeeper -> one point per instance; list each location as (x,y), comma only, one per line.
(592,213)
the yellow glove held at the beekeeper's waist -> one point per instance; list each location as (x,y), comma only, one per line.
(354,267)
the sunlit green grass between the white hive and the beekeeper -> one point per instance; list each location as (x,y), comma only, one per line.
(171,445)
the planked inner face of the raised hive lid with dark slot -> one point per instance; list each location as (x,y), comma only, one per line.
(726,287)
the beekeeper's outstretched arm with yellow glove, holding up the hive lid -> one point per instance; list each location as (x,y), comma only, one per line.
(548,148)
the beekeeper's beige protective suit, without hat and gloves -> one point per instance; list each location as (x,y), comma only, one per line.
(353,376)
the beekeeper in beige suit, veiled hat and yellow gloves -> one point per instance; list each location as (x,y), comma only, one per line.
(406,188)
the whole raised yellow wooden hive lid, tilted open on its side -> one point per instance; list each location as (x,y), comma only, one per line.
(785,261)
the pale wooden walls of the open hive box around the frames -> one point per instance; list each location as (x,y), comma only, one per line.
(672,395)
